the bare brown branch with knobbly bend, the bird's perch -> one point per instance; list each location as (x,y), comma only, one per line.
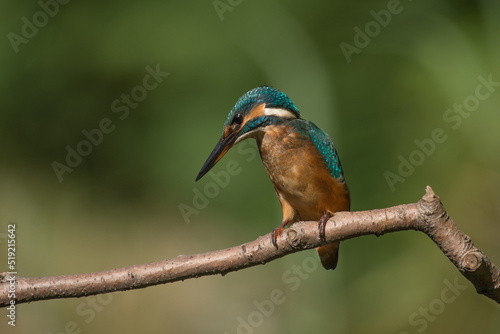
(428,216)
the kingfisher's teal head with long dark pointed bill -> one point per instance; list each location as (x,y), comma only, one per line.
(254,111)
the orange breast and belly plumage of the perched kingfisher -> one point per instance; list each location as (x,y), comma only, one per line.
(300,176)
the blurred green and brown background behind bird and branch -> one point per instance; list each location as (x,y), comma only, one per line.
(121,204)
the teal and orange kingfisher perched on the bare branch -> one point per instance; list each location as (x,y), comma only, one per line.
(299,158)
